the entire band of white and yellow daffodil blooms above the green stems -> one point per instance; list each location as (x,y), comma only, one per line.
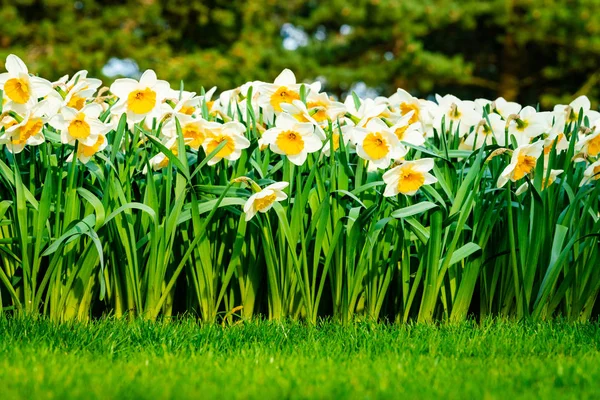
(294,121)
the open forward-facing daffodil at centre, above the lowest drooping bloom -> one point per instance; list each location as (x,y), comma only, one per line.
(292,138)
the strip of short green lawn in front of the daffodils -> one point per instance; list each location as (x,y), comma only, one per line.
(114,359)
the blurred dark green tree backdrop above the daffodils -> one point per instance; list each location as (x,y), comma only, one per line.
(529,50)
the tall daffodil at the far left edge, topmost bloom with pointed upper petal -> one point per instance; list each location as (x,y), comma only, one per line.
(19,86)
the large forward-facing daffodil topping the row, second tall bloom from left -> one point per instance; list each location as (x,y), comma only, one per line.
(141,99)
